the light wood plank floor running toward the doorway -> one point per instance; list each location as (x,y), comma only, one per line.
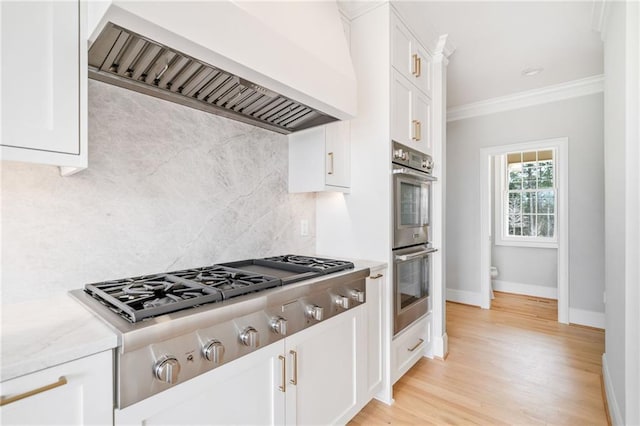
(508,365)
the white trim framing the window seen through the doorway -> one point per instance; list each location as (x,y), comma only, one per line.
(560,179)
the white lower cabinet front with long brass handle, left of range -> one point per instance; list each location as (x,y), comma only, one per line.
(79,392)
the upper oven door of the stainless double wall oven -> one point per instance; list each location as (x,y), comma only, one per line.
(411,200)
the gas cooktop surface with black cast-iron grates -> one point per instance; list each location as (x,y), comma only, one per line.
(139,298)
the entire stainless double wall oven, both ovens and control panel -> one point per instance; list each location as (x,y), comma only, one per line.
(412,178)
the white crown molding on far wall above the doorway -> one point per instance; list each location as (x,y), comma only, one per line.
(554,93)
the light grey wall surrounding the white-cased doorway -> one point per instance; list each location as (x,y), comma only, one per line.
(579,119)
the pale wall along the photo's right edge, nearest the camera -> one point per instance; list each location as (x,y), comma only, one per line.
(621,362)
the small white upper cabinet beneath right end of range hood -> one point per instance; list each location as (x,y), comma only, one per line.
(319,159)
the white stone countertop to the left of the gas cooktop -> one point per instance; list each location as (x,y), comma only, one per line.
(40,334)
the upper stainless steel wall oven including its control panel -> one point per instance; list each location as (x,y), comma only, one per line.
(411,196)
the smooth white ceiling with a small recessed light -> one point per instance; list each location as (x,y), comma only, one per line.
(495,41)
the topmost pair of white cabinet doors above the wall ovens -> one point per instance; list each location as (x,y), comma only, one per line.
(409,57)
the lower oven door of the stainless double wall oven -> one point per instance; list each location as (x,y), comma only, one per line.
(411,285)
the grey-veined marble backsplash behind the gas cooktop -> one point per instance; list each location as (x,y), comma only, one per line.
(167,187)
